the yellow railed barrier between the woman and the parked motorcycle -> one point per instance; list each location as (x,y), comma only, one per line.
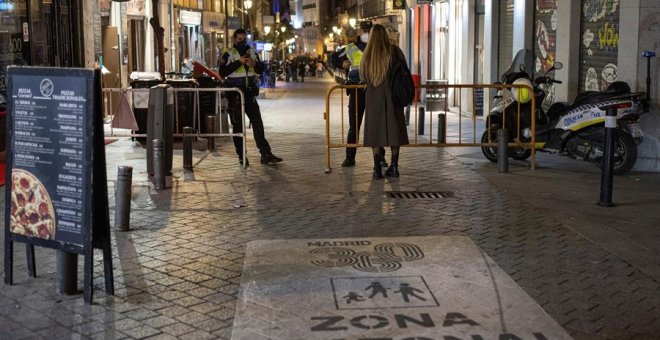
(457,93)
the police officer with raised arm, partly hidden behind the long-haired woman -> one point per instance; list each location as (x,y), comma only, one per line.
(348,58)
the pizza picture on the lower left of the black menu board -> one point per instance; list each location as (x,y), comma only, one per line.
(32,213)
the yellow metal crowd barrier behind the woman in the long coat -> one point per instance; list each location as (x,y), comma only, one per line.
(454,113)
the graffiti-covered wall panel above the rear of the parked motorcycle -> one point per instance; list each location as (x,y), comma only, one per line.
(600,44)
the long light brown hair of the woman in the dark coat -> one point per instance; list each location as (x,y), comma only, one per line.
(377,57)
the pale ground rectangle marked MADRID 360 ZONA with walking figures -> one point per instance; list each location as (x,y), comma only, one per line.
(395,288)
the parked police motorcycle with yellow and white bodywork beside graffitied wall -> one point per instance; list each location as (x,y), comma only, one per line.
(575,130)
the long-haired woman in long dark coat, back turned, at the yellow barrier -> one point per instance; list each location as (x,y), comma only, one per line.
(385,123)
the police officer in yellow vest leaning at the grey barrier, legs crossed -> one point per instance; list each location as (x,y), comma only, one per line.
(240,66)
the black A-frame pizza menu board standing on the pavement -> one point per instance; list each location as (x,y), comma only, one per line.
(56,195)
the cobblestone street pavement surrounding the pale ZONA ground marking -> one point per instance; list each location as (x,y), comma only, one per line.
(177,272)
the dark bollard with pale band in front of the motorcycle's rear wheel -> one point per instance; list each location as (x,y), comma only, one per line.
(607,169)
